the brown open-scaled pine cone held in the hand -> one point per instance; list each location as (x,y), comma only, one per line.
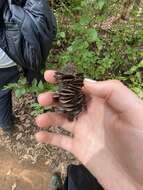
(70,99)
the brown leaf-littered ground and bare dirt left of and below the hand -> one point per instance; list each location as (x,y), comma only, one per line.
(24,163)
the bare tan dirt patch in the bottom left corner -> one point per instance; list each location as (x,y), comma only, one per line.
(16,176)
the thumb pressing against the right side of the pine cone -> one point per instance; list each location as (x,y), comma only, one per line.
(115,93)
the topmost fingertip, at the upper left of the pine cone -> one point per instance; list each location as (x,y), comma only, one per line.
(49,76)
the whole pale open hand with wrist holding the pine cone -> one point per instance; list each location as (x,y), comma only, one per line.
(107,138)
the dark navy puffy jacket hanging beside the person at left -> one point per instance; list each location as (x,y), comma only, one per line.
(27,30)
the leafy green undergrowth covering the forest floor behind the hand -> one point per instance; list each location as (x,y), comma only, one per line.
(104,40)
